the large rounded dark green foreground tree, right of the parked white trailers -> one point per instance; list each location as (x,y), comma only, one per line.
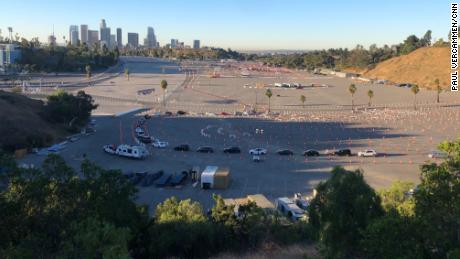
(343,207)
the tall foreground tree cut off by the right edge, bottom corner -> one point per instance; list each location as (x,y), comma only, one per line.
(437,203)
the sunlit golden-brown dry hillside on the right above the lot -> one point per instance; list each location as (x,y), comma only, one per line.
(421,67)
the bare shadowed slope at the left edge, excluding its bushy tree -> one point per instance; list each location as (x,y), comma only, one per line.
(22,124)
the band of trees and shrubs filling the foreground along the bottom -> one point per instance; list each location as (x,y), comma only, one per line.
(51,212)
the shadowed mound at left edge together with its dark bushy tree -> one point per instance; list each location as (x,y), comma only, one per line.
(28,123)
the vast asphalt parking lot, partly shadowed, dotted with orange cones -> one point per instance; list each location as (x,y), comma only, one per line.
(402,136)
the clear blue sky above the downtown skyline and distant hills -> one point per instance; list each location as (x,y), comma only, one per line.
(238,24)
